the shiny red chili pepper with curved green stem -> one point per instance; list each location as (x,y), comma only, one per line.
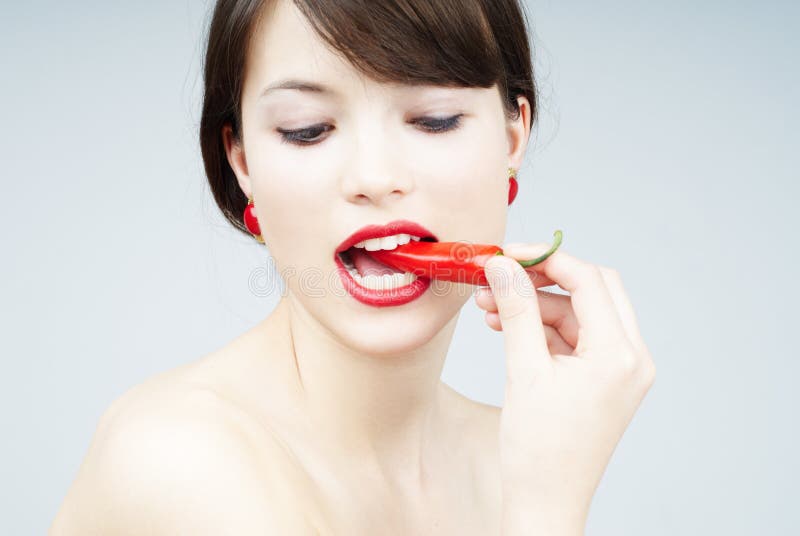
(459,262)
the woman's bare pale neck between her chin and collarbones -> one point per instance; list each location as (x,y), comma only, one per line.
(384,412)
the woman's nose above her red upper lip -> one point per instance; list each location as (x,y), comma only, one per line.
(372,174)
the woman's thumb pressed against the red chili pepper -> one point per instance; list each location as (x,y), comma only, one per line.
(518,308)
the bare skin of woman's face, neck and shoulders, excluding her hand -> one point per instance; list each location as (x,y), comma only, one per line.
(329,416)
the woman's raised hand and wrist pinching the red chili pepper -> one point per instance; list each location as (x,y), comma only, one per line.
(577,370)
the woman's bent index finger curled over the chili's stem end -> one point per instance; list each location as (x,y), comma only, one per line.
(598,320)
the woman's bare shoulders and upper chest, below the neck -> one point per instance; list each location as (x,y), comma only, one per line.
(249,403)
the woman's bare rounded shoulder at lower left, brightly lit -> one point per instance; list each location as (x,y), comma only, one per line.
(169,457)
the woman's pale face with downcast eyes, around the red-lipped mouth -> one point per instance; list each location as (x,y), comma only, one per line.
(365,159)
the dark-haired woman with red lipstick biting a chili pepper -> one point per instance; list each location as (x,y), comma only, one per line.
(326,121)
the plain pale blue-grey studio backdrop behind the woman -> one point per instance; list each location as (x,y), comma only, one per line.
(667,149)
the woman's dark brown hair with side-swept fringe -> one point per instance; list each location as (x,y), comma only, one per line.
(461,43)
